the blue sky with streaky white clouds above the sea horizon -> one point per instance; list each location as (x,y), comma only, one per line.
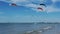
(27,11)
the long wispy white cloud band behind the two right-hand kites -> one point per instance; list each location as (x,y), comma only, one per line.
(48,9)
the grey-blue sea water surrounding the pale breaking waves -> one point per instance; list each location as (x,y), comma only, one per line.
(21,28)
